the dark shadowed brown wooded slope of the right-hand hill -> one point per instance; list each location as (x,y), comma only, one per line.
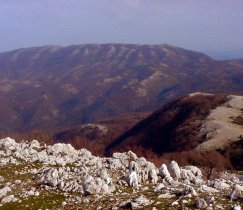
(173,128)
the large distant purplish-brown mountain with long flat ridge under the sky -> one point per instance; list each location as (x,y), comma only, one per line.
(51,88)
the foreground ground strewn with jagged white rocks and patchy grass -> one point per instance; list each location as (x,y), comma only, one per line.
(37,176)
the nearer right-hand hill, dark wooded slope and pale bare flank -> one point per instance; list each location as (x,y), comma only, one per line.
(199,122)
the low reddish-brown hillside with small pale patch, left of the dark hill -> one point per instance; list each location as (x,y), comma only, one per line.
(100,132)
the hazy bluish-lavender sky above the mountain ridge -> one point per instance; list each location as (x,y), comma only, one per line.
(211,26)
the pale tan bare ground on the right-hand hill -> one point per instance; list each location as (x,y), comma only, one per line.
(219,126)
